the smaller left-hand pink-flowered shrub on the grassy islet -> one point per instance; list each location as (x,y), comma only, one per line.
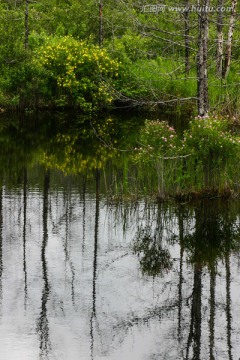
(157,156)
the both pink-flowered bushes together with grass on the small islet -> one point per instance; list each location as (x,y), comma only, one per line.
(205,158)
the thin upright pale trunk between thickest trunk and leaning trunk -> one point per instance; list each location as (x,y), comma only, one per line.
(220,39)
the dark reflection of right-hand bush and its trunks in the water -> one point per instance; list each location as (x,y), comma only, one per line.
(215,236)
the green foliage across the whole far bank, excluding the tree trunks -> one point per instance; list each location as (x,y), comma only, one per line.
(149,50)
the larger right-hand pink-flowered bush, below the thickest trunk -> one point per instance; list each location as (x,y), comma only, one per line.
(214,153)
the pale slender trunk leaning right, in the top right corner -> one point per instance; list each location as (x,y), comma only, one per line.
(228,51)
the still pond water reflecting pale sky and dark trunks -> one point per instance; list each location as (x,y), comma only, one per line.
(83,276)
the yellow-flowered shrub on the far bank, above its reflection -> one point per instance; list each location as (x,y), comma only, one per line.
(77,73)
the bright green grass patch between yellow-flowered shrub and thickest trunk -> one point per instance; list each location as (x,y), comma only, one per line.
(157,80)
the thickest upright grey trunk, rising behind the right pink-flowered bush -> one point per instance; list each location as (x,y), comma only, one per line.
(202,57)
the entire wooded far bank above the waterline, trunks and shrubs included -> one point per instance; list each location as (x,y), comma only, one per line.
(148,55)
